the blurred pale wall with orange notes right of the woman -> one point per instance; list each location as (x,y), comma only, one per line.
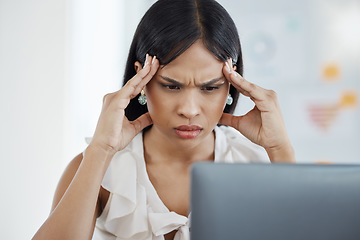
(309,53)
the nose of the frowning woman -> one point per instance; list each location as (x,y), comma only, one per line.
(189,105)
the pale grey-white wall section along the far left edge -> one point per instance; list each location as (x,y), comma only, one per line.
(32,70)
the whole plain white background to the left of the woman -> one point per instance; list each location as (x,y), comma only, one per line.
(57,60)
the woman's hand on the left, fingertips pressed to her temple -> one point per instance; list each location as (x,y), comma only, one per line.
(114,131)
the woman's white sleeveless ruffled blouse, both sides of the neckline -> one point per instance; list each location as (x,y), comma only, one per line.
(135,211)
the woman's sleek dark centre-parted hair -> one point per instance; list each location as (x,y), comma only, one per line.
(170,27)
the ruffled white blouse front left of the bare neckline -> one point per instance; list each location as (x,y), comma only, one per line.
(134,210)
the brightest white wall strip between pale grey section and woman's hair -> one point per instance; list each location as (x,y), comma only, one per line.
(101,33)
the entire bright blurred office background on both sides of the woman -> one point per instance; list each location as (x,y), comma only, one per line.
(58,59)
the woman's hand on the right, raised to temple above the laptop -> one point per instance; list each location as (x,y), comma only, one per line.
(264,124)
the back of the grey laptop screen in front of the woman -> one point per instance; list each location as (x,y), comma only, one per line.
(275,201)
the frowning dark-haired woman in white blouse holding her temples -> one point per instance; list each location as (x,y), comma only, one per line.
(182,80)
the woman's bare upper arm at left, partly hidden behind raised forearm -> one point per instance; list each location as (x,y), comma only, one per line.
(65,181)
